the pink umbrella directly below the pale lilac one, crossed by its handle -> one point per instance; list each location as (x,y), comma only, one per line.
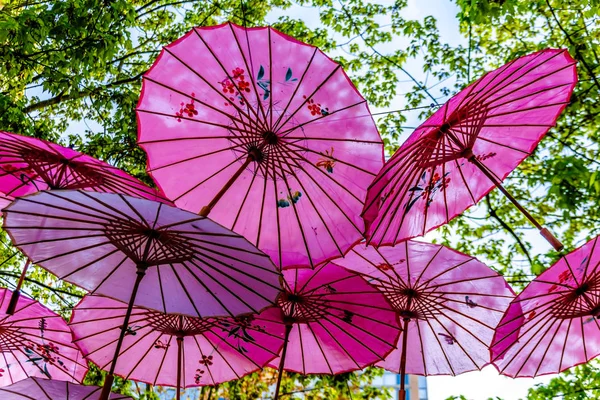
(174,350)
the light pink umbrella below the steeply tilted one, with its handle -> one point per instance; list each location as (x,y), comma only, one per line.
(450,304)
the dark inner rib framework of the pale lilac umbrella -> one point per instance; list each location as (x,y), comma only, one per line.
(144,245)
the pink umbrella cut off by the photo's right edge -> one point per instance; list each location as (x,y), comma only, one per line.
(553,324)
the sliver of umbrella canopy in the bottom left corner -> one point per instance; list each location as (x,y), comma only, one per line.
(45,389)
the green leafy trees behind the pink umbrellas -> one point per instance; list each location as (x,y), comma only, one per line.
(78,63)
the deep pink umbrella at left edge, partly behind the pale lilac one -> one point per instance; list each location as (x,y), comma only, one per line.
(28,165)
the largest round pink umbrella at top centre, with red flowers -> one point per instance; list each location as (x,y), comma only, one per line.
(281,144)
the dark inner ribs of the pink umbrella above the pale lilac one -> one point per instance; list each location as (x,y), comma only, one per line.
(58,172)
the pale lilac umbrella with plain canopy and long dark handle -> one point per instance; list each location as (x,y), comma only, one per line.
(113,244)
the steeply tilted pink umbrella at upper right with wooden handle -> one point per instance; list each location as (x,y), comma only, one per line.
(468,147)
